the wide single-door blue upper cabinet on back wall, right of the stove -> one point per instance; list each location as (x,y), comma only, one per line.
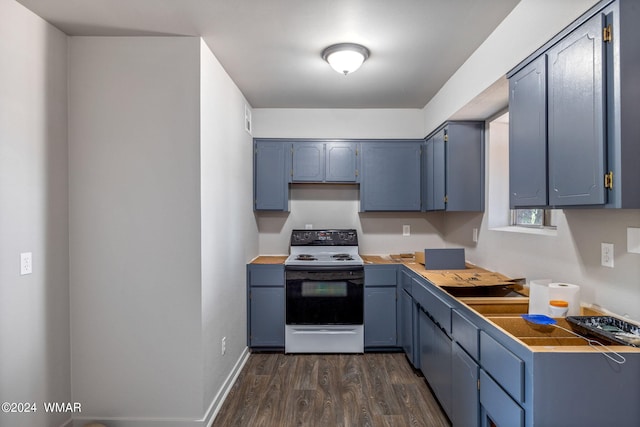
(391,174)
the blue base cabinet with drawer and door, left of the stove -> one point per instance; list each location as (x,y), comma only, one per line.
(266,306)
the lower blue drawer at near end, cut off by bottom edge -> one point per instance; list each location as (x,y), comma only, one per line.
(497,405)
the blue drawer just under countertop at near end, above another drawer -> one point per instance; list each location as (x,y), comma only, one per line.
(503,365)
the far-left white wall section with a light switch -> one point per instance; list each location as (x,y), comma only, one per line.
(34,309)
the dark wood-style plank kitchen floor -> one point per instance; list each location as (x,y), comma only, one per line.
(330,390)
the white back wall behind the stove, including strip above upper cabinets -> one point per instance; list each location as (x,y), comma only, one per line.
(330,206)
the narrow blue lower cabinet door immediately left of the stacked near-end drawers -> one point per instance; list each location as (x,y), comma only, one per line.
(465,402)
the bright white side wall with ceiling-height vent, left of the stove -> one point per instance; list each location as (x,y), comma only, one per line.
(229,230)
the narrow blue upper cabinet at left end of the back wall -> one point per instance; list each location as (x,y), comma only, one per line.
(271,173)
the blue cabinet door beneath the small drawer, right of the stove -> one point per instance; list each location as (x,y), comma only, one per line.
(380,317)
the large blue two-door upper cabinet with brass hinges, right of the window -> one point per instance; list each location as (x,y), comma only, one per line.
(574,115)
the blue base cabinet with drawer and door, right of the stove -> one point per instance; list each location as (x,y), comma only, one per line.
(380,306)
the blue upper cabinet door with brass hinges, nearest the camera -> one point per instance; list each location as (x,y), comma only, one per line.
(576,117)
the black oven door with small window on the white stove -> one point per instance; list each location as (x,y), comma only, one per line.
(324,295)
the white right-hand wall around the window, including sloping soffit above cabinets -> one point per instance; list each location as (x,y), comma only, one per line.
(573,255)
